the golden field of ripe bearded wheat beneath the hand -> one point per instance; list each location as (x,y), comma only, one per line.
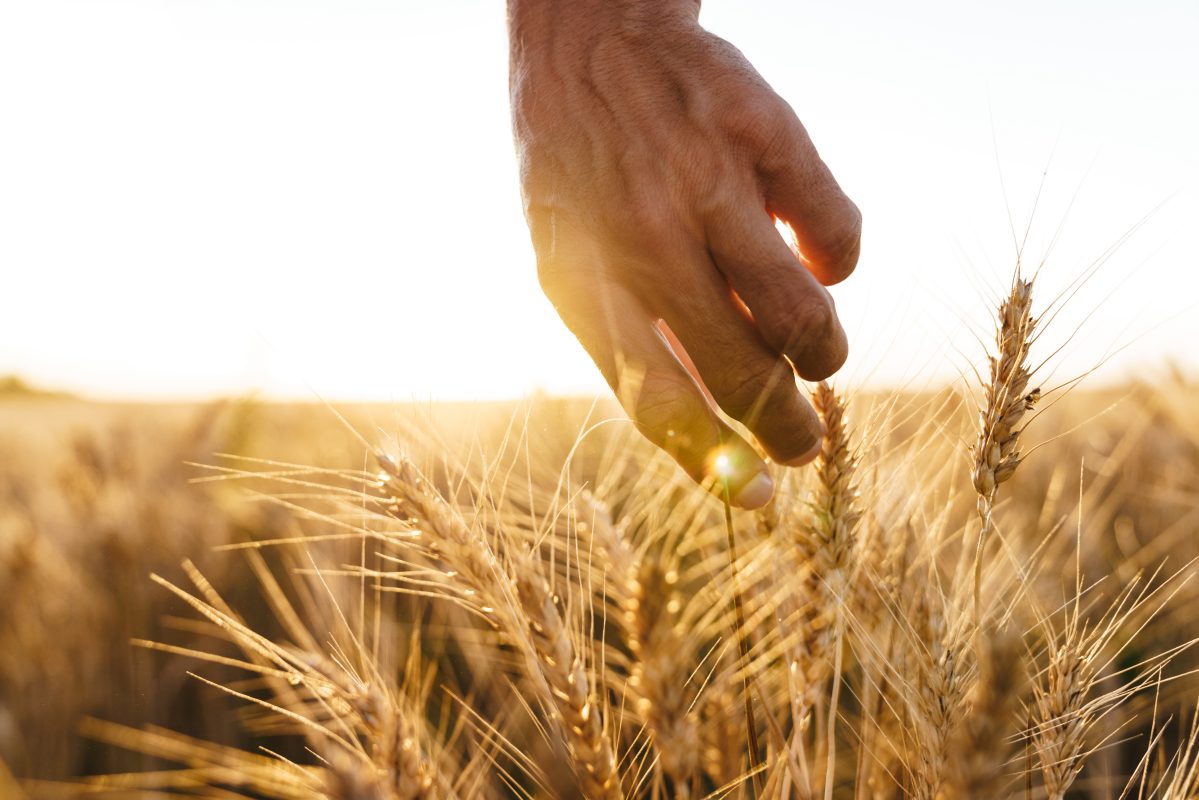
(978,592)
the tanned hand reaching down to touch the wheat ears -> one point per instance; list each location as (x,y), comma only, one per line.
(653,160)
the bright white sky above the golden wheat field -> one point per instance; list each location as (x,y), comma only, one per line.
(320,197)
